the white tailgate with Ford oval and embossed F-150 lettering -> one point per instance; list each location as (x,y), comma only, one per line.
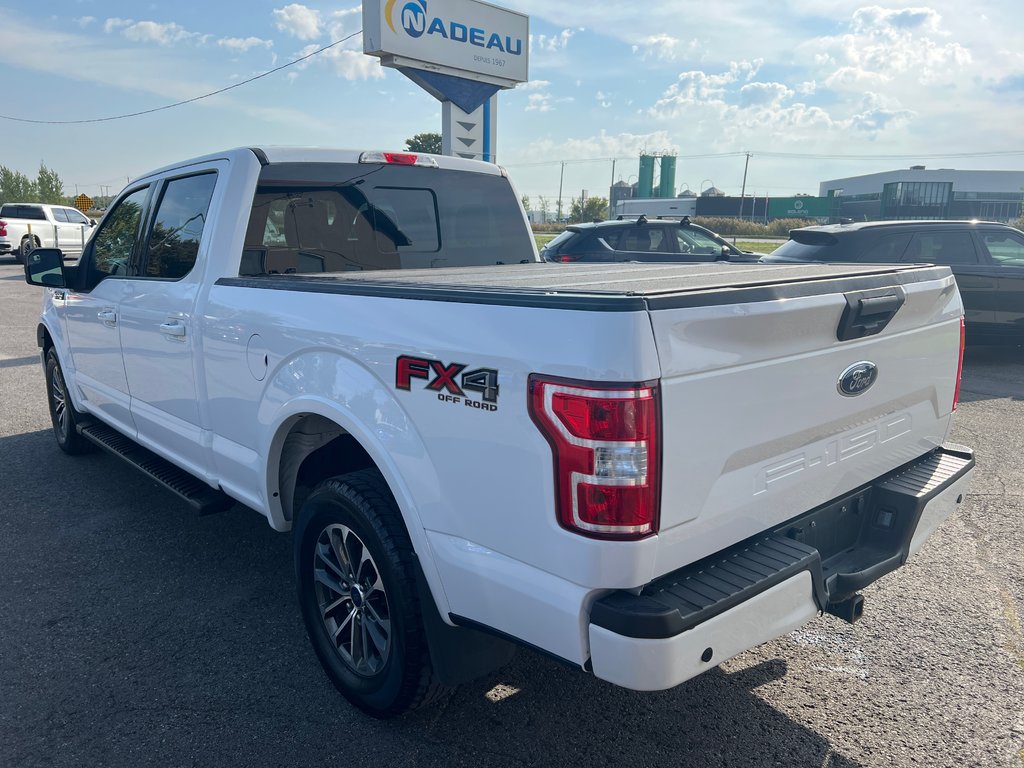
(756,428)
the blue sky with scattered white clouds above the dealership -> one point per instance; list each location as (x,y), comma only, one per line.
(815,91)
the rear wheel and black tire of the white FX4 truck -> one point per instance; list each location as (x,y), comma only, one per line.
(364,621)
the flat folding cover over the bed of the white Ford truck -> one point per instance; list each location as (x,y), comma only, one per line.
(620,287)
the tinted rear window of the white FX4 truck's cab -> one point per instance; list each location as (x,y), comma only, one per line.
(332,218)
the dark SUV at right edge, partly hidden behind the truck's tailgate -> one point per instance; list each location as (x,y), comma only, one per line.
(988,260)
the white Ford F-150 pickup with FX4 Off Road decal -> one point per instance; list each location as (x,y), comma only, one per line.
(639,470)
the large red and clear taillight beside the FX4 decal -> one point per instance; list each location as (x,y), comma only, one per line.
(607,455)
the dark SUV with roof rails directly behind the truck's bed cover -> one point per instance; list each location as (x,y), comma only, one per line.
(642,240)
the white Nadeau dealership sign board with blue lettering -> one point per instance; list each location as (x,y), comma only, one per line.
(461,38)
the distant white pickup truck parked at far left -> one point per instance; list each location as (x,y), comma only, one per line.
(28,226)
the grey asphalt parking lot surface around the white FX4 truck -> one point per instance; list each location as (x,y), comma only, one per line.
(134,633)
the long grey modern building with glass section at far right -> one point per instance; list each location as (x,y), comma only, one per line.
(918,193)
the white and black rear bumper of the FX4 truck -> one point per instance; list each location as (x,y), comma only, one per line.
(705,614)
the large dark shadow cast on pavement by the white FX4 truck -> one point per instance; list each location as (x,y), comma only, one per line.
(137,633)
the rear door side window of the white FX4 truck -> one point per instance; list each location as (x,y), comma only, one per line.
(178,228)
